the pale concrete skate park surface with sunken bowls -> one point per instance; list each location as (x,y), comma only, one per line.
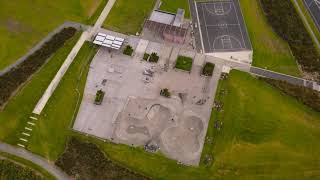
(134,113)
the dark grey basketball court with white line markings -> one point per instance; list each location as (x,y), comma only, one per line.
(222,26)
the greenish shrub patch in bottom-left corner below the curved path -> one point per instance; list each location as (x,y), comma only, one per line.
(10,170)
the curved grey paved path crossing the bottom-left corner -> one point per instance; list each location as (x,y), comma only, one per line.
(45,164)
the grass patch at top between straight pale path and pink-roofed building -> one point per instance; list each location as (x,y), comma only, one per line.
(128,16)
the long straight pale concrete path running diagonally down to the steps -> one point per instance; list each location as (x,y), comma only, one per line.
(86,35)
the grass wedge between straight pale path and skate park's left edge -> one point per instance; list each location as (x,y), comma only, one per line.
(55,120)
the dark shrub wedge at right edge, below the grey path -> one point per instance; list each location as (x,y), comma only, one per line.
(305,95)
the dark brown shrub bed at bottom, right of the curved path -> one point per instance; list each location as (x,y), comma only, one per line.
(83,160)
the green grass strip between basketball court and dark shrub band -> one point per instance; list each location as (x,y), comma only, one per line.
(269,50)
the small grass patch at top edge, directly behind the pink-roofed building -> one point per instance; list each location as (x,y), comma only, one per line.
(173,5)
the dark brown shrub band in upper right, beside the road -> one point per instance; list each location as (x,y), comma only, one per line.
(284,19)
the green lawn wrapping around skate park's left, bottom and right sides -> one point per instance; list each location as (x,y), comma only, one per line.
(265,135)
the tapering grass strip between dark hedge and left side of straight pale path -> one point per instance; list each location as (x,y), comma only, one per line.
(16,113)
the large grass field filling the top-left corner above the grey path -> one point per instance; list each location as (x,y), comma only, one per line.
(19,32)
